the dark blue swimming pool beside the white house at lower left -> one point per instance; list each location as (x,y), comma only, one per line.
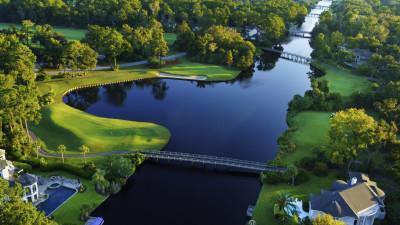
(56,198)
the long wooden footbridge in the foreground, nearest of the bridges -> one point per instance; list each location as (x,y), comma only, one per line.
(215,161)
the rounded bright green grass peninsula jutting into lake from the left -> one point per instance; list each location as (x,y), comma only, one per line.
(61,124)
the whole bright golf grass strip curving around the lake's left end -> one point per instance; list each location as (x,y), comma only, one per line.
(62,124)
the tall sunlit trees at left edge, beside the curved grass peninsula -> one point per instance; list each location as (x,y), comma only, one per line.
(20,99)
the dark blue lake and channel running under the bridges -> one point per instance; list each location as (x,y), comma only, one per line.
(241,119)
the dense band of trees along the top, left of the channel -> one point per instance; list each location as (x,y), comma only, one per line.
(273,16)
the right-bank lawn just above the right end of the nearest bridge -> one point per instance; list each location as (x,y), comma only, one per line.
(312,132)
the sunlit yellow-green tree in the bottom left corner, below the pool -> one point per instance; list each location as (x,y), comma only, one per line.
(13,210)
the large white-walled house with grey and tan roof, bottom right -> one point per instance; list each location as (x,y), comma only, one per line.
(358,201)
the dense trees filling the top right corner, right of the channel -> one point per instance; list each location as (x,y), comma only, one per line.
(372,25)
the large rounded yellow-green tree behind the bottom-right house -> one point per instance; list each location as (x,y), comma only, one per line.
(350,133)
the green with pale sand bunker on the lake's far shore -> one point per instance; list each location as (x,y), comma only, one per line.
(212,71)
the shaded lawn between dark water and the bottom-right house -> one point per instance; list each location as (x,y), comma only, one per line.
(263,213)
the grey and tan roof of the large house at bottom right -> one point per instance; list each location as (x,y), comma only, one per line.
(345,199)
